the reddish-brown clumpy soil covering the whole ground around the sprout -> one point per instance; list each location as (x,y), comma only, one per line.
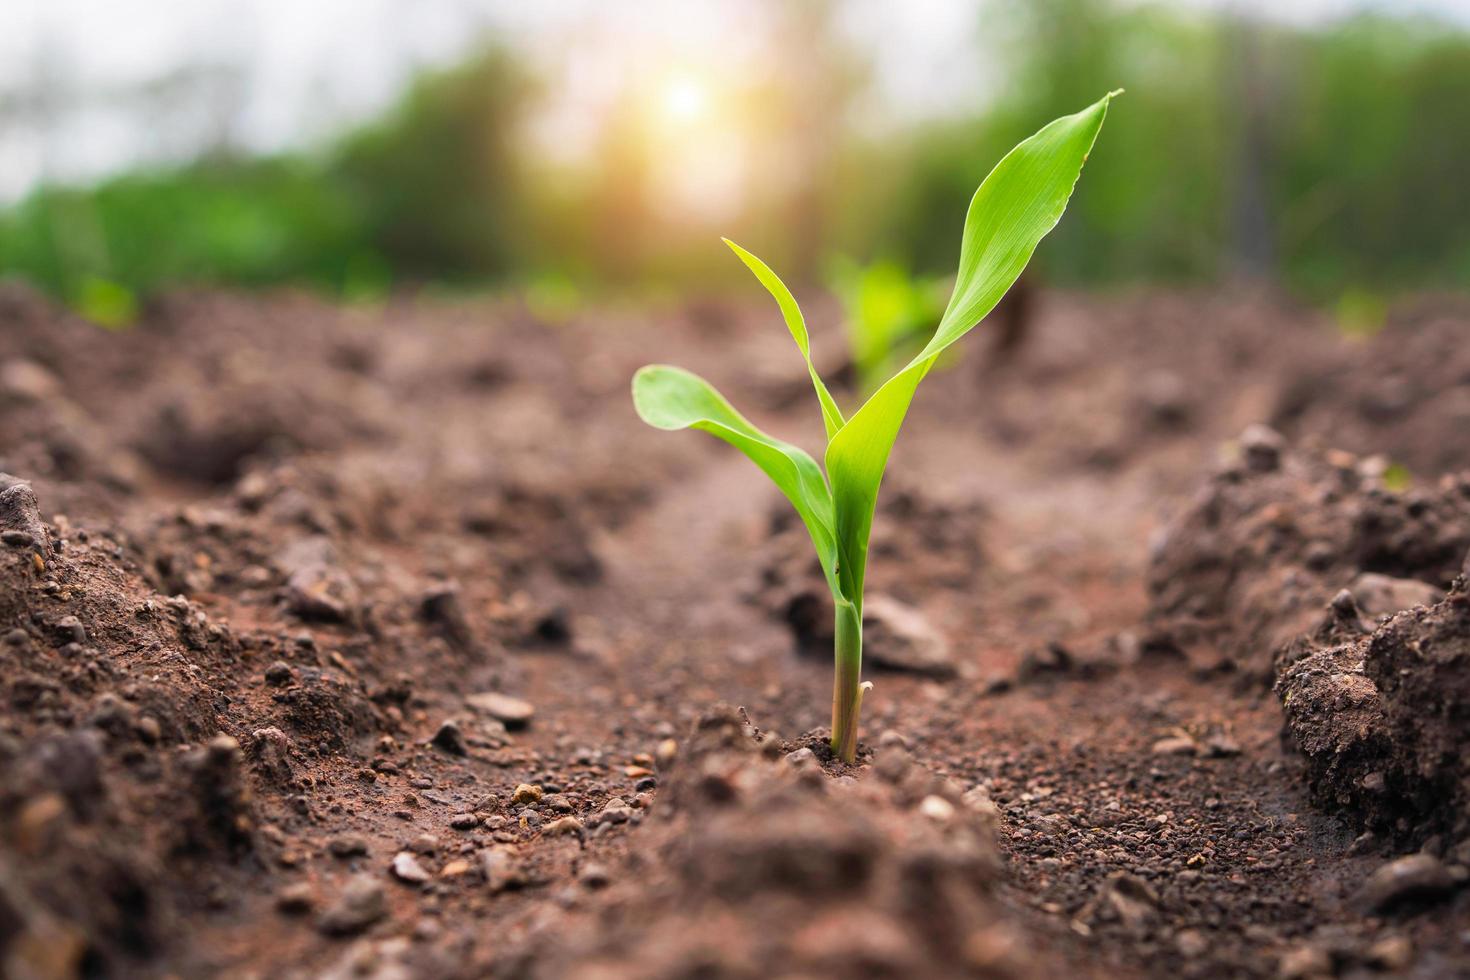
(387,643)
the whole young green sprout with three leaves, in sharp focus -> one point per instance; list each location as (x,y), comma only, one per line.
(1014,209)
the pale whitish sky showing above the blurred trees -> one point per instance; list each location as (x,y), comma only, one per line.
(82,82)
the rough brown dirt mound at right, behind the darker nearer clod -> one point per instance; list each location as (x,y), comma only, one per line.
(1249,568)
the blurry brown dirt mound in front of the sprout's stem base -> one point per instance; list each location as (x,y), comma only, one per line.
(772,868)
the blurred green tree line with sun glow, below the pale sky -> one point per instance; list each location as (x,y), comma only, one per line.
(1330,161)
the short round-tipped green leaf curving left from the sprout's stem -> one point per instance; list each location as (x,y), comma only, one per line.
(674,399)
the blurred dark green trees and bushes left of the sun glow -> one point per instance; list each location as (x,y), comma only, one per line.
(429,192)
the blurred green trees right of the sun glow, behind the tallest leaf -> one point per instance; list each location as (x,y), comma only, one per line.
(1294,155)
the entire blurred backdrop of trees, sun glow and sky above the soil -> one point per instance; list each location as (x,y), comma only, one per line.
(581,151)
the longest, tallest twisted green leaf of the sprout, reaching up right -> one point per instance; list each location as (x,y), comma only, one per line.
(1012,212)
